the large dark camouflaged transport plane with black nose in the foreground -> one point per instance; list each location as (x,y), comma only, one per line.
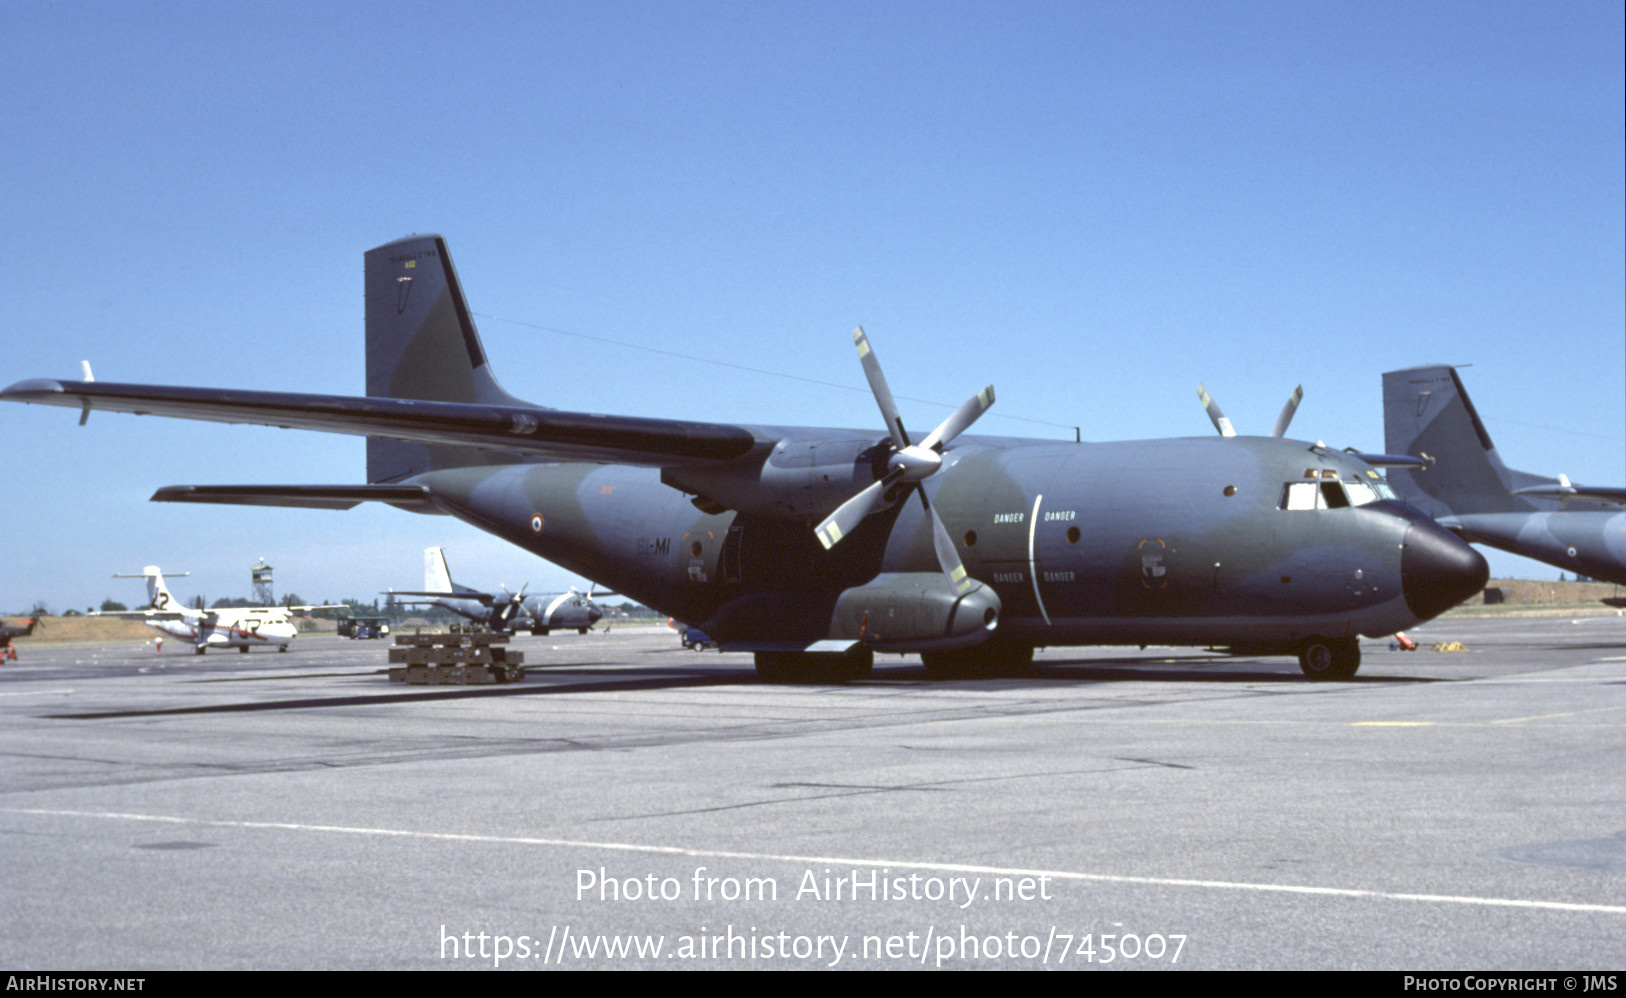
(819,549)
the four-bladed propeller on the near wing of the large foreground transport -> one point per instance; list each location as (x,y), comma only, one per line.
(906,467)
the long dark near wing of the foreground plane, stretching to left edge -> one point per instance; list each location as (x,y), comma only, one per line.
(526,430)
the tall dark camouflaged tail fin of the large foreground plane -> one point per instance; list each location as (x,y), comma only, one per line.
(422,344)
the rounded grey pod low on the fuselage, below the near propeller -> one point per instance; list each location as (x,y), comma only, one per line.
(915,612)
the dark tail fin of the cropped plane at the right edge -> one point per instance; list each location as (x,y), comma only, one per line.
(1428,414)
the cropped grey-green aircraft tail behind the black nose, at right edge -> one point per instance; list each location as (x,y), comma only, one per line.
(1467,487)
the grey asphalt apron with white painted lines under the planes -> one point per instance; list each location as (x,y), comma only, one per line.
(640,805)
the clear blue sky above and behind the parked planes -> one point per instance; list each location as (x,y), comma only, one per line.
(1090,206)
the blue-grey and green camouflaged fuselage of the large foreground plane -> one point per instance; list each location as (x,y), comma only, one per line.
(1147,542)
